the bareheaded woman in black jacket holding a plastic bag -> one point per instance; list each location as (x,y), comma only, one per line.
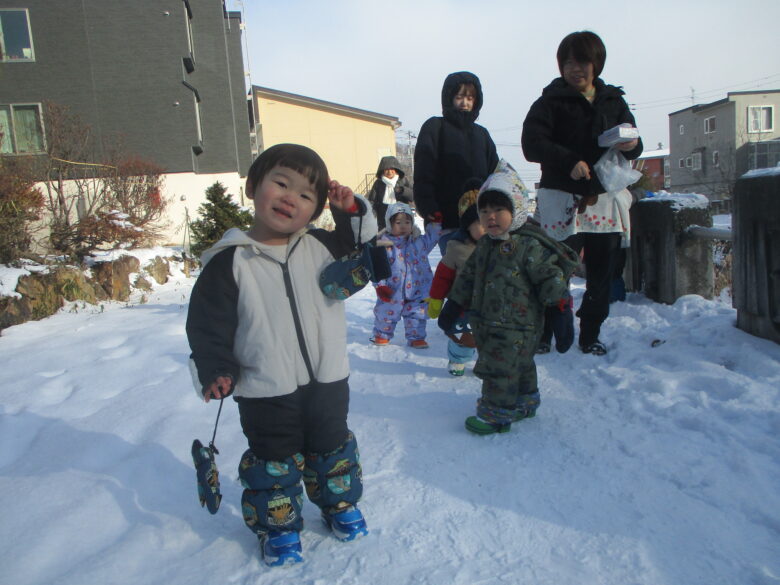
(561,132)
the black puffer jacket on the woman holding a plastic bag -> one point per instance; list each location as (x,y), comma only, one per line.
(562,128)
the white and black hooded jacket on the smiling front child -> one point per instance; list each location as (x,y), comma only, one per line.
(257,312)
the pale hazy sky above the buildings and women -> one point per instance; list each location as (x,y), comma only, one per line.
(392,57)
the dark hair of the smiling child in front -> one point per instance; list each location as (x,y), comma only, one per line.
(300,159)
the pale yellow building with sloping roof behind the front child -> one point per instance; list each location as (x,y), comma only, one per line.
(350,141)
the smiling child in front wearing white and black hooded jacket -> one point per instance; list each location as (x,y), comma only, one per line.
(261,329)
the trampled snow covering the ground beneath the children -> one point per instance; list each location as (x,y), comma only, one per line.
(656,464)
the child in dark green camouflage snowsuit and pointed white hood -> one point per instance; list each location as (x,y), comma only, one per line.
(515,272)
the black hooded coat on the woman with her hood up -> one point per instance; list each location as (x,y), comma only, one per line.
(450,150)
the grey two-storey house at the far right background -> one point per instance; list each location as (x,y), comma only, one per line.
(712,145)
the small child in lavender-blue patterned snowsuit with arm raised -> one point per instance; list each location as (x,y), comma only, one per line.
(404,292)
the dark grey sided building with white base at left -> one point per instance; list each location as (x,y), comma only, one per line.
(166,77)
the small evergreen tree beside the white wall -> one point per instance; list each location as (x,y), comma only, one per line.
(217,215)
